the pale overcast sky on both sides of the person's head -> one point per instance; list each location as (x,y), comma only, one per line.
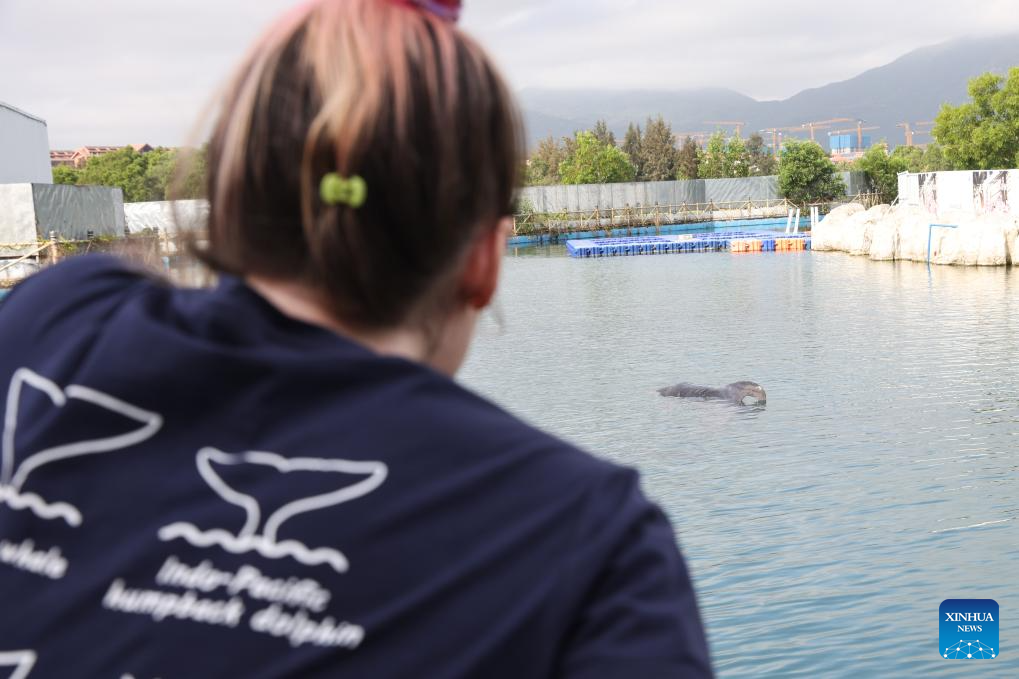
(120,72)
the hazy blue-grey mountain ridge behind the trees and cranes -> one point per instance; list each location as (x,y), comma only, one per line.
(910,89)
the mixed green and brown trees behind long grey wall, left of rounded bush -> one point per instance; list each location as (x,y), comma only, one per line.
(652,154)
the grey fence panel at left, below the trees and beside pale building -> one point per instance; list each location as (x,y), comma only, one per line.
(74,212)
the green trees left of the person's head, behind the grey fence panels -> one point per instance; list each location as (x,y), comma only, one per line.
(143,177)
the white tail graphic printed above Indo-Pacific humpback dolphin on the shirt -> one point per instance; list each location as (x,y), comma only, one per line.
(260,532)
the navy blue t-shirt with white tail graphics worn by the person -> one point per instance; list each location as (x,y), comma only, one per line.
(194,485)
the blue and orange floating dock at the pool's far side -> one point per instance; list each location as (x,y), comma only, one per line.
(735,242)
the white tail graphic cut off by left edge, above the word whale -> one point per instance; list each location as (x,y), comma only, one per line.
(14,475)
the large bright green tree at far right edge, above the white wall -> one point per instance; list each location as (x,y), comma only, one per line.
(983,134)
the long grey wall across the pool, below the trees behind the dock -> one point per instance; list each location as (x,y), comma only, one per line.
(578,198)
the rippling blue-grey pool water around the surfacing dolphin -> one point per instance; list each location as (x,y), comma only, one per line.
(824,530)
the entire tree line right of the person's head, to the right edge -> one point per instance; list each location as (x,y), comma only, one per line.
(982,134)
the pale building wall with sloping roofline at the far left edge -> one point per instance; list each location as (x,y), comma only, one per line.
(25,148)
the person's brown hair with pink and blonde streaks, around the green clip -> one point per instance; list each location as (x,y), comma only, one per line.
(379,90)
